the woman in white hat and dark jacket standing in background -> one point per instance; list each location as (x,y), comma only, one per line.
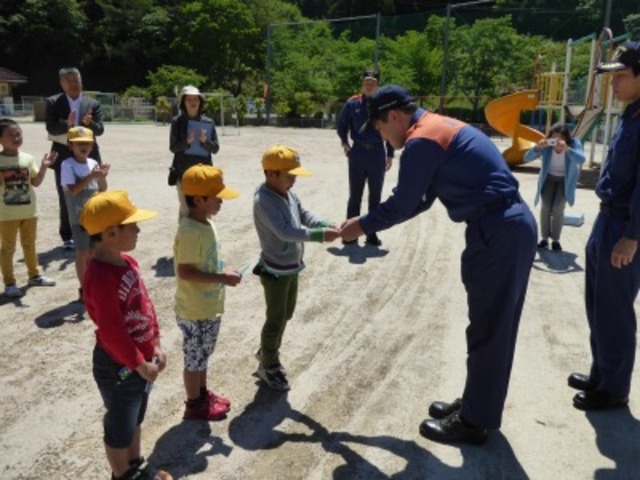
(193,139)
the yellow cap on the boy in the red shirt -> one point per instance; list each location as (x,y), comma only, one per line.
(109,209)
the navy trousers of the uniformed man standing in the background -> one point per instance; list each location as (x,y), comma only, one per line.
(366,165)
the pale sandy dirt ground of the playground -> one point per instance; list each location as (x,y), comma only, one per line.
(377,335)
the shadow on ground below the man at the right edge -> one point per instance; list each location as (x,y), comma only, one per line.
(617,433)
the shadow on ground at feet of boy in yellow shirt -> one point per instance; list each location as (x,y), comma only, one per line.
(180,450)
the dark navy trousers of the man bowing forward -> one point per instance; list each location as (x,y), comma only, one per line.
(496,263)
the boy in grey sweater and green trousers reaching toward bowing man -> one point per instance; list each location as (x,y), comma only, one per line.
(283,225)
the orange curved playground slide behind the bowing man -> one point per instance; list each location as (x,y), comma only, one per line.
(503,114)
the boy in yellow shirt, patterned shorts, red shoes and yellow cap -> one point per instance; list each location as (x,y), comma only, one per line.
(200,286)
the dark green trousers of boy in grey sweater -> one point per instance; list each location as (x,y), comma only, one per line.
(280,294)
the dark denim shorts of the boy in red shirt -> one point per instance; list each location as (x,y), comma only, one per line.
(125,399)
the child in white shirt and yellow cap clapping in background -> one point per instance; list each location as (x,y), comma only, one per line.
(81,177)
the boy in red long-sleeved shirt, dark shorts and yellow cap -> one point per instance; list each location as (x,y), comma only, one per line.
(127,357)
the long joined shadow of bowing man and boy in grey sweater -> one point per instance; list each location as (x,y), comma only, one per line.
(256,429)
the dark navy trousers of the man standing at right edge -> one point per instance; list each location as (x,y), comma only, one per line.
(609,297)
